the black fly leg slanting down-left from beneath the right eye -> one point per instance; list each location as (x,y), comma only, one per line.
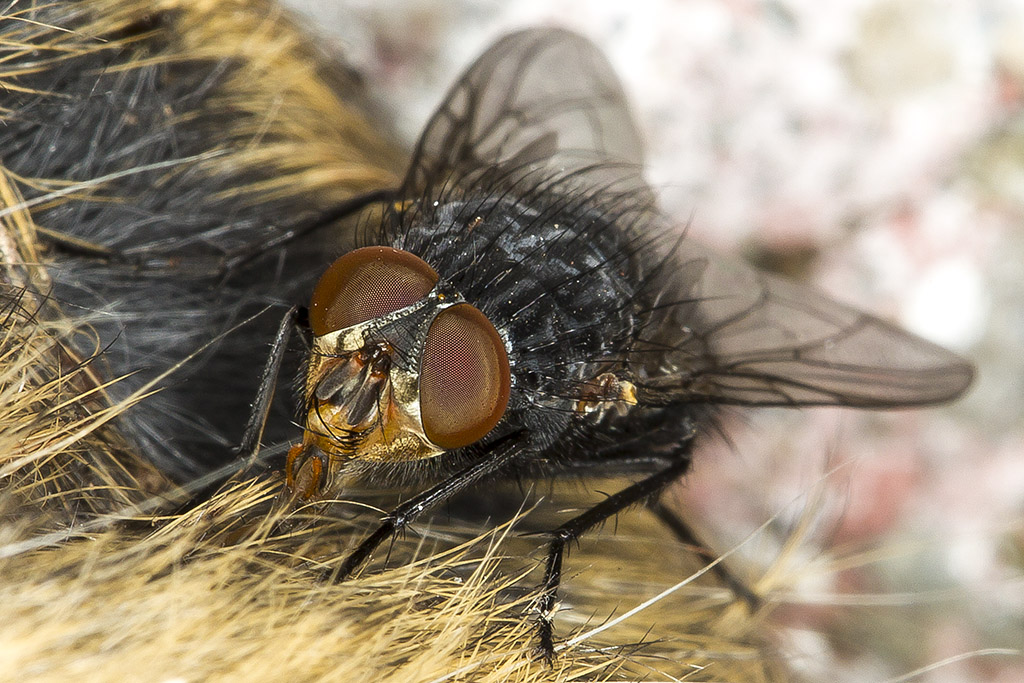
(499,454)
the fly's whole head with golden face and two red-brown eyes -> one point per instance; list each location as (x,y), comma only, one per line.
(402,369)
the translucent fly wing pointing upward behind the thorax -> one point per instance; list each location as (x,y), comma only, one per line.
(543,104)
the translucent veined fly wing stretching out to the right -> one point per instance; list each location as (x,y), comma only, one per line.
(726,333)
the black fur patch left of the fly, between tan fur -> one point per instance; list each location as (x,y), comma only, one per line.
(163,292)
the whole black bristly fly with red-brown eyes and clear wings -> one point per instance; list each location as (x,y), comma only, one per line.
(524,309)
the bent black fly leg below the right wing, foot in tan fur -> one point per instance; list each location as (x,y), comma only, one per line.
(575,528)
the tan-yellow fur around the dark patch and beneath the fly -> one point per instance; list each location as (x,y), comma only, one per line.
(100,581)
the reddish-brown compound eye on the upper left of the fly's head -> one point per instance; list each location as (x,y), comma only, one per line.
(366,284)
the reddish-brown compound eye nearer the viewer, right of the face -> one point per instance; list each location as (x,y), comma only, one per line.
(464,378)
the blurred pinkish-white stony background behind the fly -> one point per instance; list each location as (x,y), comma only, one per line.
(874,149)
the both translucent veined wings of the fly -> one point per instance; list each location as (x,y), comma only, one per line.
(542,111)
